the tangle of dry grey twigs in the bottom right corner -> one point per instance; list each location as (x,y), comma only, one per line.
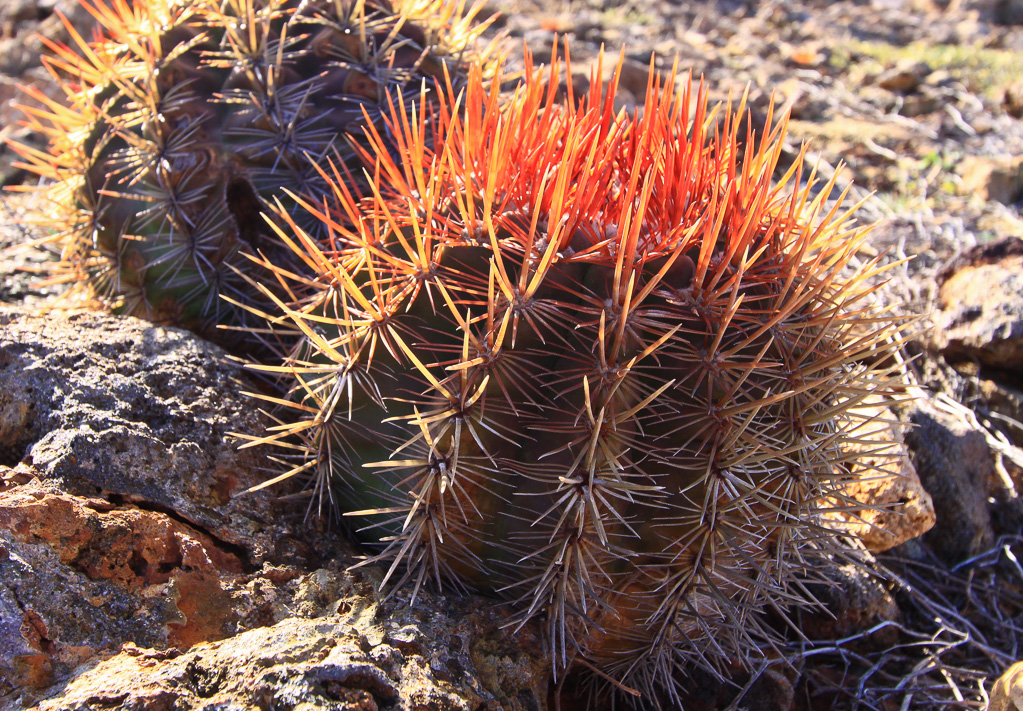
(960,629)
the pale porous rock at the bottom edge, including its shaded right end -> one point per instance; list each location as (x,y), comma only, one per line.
(359,658)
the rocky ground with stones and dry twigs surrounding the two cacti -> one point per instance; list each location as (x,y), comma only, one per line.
(121,497)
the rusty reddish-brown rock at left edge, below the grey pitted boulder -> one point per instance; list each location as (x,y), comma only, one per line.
(83,577)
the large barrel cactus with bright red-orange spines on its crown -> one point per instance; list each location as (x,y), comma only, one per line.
(598,365)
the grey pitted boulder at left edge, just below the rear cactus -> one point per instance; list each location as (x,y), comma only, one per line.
(104,407)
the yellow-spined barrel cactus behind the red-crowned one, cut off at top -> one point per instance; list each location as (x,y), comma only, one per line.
(185,117)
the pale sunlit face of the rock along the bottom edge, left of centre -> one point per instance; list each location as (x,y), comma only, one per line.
(329,663)
